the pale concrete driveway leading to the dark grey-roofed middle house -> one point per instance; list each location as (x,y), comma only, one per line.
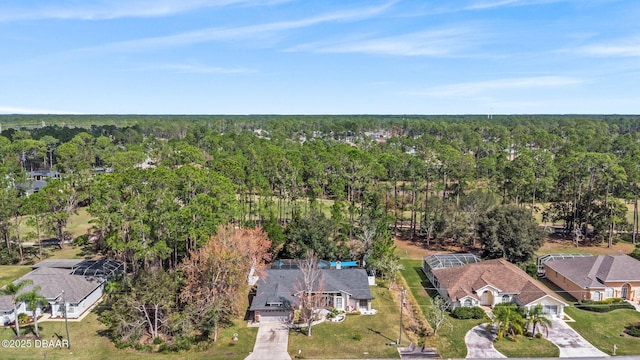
(271,342)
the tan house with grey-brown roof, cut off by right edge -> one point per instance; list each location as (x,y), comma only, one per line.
(596,277)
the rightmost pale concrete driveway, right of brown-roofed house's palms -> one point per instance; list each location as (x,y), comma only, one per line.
(571,344)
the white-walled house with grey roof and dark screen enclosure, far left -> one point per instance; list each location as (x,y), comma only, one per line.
(74,285)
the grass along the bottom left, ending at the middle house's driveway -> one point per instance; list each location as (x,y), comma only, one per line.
(88,343)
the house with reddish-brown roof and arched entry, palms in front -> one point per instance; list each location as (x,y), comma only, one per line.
(491,282)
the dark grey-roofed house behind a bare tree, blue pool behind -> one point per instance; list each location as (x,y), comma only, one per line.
(275,298)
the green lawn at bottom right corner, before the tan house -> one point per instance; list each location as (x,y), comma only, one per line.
(604,330)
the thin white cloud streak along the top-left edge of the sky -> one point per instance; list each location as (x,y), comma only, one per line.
(73,10)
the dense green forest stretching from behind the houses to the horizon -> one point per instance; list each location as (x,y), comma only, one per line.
(160,187)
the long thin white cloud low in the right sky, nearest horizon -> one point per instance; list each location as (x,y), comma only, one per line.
(475,88)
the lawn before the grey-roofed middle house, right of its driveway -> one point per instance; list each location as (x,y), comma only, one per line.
(336,340)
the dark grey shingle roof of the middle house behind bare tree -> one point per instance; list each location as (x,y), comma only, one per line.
(280,286)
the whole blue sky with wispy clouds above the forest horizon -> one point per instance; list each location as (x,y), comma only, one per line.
(320,57)
